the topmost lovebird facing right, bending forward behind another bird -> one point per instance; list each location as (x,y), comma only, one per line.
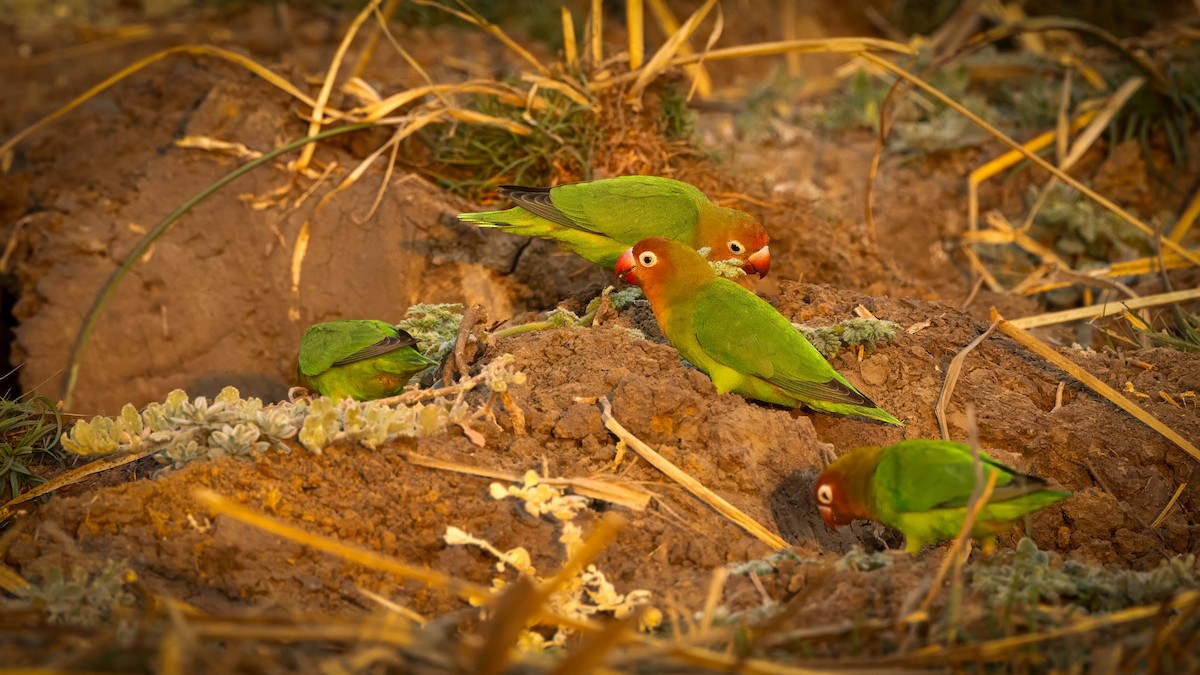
(601,219)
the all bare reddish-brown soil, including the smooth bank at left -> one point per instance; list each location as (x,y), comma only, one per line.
(211,307)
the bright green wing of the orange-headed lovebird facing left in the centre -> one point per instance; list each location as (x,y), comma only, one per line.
(742,331)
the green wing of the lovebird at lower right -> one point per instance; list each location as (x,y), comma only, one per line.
(919,476)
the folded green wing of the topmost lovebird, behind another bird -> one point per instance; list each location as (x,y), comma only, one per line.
(627,210)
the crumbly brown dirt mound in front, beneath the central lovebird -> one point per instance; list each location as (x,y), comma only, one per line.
(760,458)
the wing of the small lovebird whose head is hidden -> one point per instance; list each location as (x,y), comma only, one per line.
(340,343)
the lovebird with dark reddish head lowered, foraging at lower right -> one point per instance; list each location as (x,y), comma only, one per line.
(922,489)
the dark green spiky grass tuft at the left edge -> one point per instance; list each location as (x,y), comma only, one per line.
(29,434)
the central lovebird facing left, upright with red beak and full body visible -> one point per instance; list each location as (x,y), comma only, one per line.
(735,337)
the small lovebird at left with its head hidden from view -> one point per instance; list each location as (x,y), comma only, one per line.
(362,360)
